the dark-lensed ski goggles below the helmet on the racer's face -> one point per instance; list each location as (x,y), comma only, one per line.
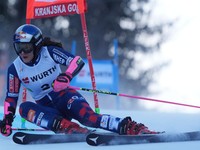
(25,47)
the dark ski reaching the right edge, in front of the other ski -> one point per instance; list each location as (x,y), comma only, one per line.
(96,139)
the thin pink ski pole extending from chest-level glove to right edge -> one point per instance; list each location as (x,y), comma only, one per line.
(132,96)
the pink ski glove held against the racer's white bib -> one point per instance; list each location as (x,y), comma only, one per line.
(62,82)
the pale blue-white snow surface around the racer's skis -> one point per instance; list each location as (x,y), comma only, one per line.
(160,121)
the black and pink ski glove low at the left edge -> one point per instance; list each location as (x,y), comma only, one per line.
(6,125)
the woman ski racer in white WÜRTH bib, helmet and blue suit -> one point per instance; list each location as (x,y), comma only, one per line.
(37,68)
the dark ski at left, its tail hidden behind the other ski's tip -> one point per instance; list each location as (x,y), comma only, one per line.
(29,138)
